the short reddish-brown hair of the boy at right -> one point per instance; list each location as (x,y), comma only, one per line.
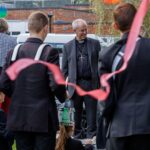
(124,14)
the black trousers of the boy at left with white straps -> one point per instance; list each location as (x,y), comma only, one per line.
(35,141)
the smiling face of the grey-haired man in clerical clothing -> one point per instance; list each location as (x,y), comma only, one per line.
(81,32)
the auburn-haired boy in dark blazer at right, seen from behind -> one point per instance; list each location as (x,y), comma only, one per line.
(128,102)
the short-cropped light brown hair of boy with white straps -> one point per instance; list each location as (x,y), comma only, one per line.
(36,21)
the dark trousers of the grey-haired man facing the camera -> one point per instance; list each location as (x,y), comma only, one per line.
(90,109)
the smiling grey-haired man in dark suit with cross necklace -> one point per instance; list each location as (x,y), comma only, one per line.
(80,65)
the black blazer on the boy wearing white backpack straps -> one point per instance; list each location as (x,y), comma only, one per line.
(33,106)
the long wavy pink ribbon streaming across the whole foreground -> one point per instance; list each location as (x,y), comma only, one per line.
(98,94)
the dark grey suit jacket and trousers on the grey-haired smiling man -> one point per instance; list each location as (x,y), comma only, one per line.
(69,68)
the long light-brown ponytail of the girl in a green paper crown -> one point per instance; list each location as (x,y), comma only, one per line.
(63,136)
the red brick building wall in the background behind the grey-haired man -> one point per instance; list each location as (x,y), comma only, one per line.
(61,19)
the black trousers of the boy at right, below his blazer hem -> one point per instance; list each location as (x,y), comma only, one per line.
(135,142)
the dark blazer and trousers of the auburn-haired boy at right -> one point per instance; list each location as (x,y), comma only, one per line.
(130,116)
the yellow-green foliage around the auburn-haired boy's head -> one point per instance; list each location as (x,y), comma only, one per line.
(105,18)
